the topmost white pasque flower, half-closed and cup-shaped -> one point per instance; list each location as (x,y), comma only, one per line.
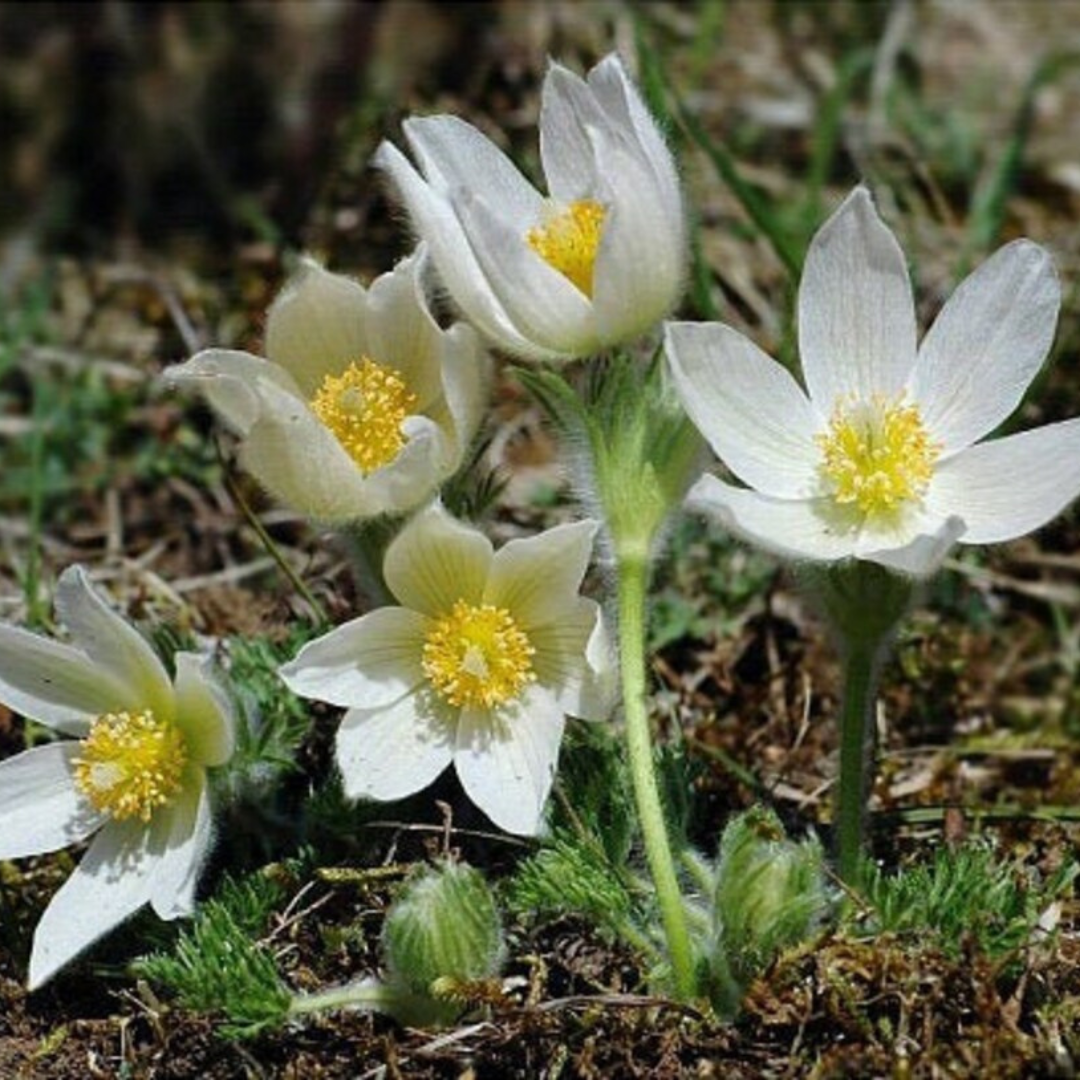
(598,263)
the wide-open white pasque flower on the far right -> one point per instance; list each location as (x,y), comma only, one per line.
(881,458)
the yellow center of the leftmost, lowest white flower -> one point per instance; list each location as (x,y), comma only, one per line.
(131,764)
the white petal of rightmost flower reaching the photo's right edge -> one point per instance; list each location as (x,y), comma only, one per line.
(1008,488)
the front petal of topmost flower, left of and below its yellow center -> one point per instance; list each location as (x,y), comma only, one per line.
(545,307)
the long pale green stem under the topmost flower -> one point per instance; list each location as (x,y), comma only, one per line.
(632,578)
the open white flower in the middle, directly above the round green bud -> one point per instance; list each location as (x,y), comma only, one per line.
(479,667)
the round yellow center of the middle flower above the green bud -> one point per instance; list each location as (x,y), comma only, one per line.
(478,656)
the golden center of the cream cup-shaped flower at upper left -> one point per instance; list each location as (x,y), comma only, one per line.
(364,409)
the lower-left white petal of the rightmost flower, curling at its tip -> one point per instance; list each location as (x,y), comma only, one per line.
(791,529)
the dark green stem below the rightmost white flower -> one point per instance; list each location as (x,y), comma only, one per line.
(857,755)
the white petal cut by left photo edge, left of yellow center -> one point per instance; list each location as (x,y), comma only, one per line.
(40,808)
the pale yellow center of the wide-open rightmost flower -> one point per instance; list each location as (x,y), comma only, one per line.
(877,455)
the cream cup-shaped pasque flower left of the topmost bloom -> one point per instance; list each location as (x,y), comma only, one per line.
(364,406)
